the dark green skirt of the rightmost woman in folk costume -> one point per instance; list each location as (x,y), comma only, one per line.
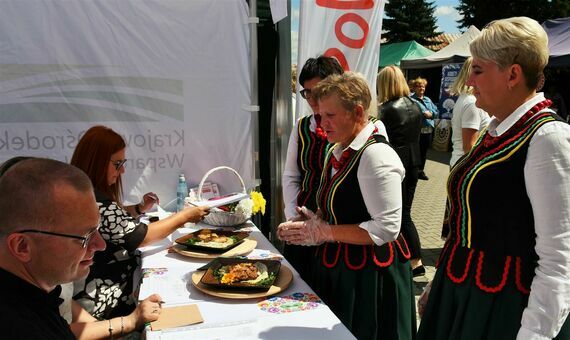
(465,312)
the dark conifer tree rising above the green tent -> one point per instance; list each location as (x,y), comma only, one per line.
(409,20)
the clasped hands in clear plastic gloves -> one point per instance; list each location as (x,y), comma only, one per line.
(307,229)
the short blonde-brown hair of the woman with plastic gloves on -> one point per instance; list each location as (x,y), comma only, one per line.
(351,89)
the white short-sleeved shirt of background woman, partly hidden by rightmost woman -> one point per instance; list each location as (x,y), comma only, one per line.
(465,116)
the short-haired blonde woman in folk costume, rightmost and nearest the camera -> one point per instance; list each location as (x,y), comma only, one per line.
(504,272)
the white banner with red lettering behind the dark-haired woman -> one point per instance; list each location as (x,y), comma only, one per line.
(348,30)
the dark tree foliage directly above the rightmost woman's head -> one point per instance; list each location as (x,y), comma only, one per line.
(476,12)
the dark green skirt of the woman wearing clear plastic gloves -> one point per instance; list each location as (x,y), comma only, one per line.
(374,302)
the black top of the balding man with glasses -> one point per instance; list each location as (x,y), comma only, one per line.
(28,312)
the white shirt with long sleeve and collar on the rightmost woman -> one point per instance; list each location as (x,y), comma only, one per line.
(547,180)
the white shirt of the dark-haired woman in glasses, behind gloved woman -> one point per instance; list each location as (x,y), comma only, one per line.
(291,180)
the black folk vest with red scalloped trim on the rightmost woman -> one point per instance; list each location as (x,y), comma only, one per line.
(492,236)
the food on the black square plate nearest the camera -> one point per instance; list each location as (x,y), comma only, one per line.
(255,274)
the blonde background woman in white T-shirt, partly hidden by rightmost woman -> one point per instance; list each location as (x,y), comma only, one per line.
(468,120)
